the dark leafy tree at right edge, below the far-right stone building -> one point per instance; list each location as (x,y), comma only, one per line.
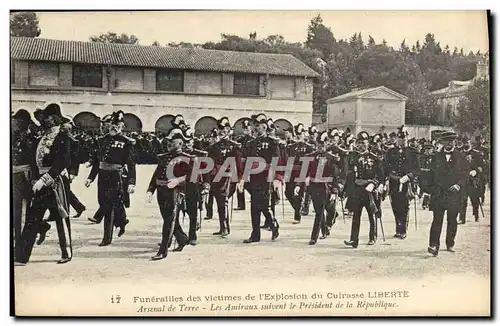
(474,111)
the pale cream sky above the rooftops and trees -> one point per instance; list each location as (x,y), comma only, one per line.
(463,29)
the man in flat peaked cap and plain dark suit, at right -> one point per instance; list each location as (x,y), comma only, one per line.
(449,178)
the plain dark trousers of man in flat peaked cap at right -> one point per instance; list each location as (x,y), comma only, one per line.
(437,225)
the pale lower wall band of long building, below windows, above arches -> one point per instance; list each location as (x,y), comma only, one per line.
(149,107)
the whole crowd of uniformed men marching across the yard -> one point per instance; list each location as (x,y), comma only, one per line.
(364,170)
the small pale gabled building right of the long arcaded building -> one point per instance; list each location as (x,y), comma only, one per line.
(372,110)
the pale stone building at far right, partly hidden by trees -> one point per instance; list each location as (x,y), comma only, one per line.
(449,97)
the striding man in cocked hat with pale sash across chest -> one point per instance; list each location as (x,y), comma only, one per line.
(51,159)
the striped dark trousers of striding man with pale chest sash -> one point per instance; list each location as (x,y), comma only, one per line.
(43,201)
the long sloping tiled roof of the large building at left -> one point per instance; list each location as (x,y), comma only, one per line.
(38,49)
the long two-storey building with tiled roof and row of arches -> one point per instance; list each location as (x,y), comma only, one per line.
(152,84)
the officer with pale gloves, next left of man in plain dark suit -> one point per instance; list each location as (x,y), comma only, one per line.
(402,165)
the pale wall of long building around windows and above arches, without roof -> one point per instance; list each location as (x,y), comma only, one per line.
(205,93)
